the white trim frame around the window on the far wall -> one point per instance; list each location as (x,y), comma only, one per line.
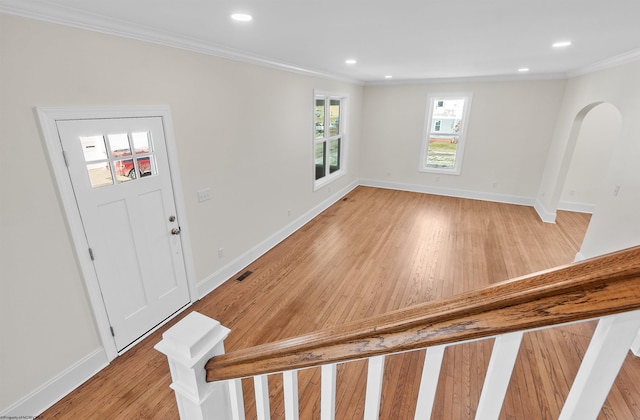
(457,168)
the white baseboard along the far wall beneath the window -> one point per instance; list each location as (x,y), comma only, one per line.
(450,192)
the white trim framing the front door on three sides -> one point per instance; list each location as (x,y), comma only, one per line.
(48,117)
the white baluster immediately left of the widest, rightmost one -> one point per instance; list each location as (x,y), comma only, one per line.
(496,382)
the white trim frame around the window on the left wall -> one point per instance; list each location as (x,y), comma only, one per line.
(344,99)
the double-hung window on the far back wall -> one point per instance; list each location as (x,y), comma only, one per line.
(445,129)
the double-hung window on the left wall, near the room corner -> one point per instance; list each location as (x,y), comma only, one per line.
(328,137)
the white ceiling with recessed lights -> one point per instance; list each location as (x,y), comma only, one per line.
(408,39)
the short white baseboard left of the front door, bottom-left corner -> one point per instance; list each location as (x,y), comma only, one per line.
(55,389)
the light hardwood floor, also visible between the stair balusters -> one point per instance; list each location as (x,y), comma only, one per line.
(374,251)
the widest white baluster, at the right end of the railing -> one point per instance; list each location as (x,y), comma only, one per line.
(600,366)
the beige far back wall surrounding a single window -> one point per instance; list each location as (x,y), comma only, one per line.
(508,135)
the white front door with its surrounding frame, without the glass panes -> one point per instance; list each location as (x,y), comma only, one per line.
(138,230)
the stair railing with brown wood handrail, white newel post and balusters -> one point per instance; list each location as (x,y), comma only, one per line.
(207,382)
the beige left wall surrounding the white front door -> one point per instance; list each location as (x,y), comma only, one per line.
(242,130)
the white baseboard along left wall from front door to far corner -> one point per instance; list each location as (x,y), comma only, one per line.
(223,274)
